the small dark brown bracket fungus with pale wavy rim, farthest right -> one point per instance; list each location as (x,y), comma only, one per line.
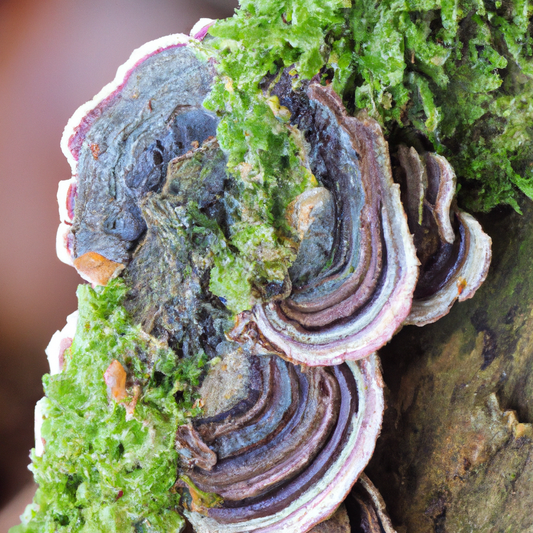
(453,250)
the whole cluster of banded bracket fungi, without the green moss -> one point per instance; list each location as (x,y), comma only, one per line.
(293,399)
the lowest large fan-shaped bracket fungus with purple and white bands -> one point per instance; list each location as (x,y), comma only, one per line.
(290,463)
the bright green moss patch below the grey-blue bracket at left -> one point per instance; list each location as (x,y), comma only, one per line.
(101,472)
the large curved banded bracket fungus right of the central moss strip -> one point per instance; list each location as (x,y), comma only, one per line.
(363,292)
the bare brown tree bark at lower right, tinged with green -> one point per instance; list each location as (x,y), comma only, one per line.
(455,454)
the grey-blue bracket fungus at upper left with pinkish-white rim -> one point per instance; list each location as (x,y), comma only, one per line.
(121,143)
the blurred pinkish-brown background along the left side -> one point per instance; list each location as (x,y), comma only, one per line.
(54,56)
